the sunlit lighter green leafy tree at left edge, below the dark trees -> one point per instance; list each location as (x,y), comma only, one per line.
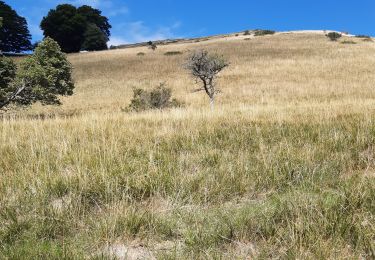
(42,77)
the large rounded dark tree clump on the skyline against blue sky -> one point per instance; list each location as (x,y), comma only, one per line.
(73,27)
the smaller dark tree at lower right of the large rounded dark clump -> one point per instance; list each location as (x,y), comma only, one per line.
(95,39)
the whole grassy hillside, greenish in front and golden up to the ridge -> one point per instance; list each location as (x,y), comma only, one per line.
(283,168)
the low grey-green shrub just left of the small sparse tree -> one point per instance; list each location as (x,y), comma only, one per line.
(157,98)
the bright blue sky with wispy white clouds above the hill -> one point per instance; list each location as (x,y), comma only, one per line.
(143,20)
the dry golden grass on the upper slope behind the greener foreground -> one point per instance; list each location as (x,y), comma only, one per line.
(283,70)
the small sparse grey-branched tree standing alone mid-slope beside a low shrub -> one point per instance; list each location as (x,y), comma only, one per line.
(206,67)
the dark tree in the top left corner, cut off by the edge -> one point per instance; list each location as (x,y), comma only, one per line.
(14,34)
